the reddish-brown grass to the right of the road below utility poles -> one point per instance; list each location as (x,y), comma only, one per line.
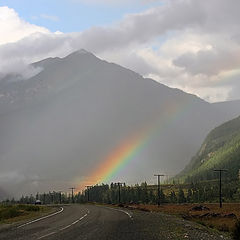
(223,219)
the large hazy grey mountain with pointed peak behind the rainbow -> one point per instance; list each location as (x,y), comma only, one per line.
(57,127)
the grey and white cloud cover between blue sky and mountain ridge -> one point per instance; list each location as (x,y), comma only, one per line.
(182,43)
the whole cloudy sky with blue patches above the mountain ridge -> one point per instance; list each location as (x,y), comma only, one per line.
(186,44)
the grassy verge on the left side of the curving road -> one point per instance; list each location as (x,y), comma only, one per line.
(18,212)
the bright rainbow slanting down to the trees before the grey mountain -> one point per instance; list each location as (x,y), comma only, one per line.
(130,148)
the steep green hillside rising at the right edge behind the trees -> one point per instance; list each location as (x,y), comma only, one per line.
(220,150)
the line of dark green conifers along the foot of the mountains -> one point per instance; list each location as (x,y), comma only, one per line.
(207,191)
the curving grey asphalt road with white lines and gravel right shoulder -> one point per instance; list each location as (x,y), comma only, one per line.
(89,222)
